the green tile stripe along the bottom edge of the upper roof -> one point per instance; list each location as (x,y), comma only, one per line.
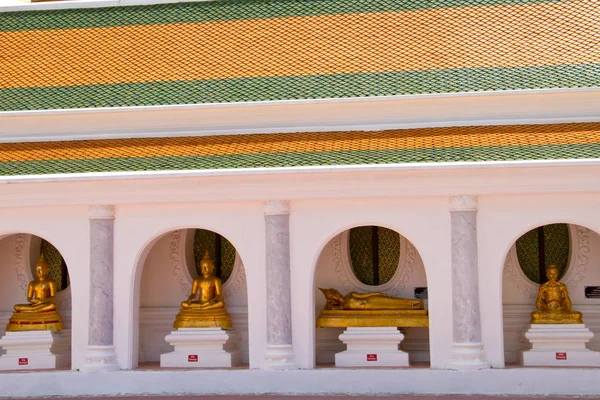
(300,87)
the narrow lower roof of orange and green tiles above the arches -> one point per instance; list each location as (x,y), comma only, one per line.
(459,144)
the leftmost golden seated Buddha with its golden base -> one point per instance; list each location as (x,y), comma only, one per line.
(39,313)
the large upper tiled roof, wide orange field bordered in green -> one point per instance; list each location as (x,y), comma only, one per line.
(253,50)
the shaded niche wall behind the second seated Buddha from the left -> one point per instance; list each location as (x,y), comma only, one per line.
(167,276)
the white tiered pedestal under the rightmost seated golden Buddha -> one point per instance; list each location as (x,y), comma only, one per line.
(559,345)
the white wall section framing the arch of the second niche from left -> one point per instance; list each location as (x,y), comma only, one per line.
(139,228)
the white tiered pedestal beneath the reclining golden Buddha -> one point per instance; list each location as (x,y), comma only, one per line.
(372,347)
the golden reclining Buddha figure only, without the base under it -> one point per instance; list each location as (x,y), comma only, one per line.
(368,301)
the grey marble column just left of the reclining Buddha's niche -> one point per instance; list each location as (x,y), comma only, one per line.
(279,352)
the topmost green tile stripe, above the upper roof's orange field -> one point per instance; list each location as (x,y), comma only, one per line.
(224,11)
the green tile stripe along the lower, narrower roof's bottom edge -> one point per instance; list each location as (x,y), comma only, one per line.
(273,160)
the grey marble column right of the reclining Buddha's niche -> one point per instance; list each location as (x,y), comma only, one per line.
(467,346)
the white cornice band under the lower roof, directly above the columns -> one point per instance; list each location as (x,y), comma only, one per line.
(363,182)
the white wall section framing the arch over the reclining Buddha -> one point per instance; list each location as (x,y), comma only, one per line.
(423,221)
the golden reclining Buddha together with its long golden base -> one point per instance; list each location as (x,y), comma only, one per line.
(370,310)
